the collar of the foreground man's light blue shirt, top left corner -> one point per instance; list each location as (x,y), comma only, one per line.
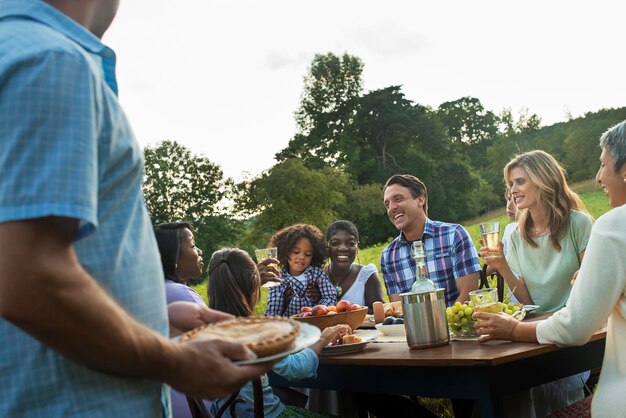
(50,16)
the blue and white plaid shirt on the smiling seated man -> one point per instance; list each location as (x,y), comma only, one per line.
(450,254)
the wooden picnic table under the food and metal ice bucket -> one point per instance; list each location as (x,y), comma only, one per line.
(462,369)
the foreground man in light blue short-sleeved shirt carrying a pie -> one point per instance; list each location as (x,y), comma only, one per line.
(83,320)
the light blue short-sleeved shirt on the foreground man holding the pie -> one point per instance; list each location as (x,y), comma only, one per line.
(67,150)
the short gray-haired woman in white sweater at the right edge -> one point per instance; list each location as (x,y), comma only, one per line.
(598,294)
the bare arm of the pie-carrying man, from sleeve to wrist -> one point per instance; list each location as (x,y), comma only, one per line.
(46,292)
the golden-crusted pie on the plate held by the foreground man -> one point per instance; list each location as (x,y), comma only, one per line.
(265,335)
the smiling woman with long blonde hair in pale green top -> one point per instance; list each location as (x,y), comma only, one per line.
(553,229)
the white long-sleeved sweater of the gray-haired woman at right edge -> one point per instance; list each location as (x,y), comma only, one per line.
(599,293)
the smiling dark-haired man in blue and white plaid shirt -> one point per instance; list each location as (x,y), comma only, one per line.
(451,257)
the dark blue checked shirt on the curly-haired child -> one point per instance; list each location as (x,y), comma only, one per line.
(315,276)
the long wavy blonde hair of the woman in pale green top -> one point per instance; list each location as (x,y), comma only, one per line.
(553,194)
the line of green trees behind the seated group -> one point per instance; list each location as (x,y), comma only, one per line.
(347,143)
